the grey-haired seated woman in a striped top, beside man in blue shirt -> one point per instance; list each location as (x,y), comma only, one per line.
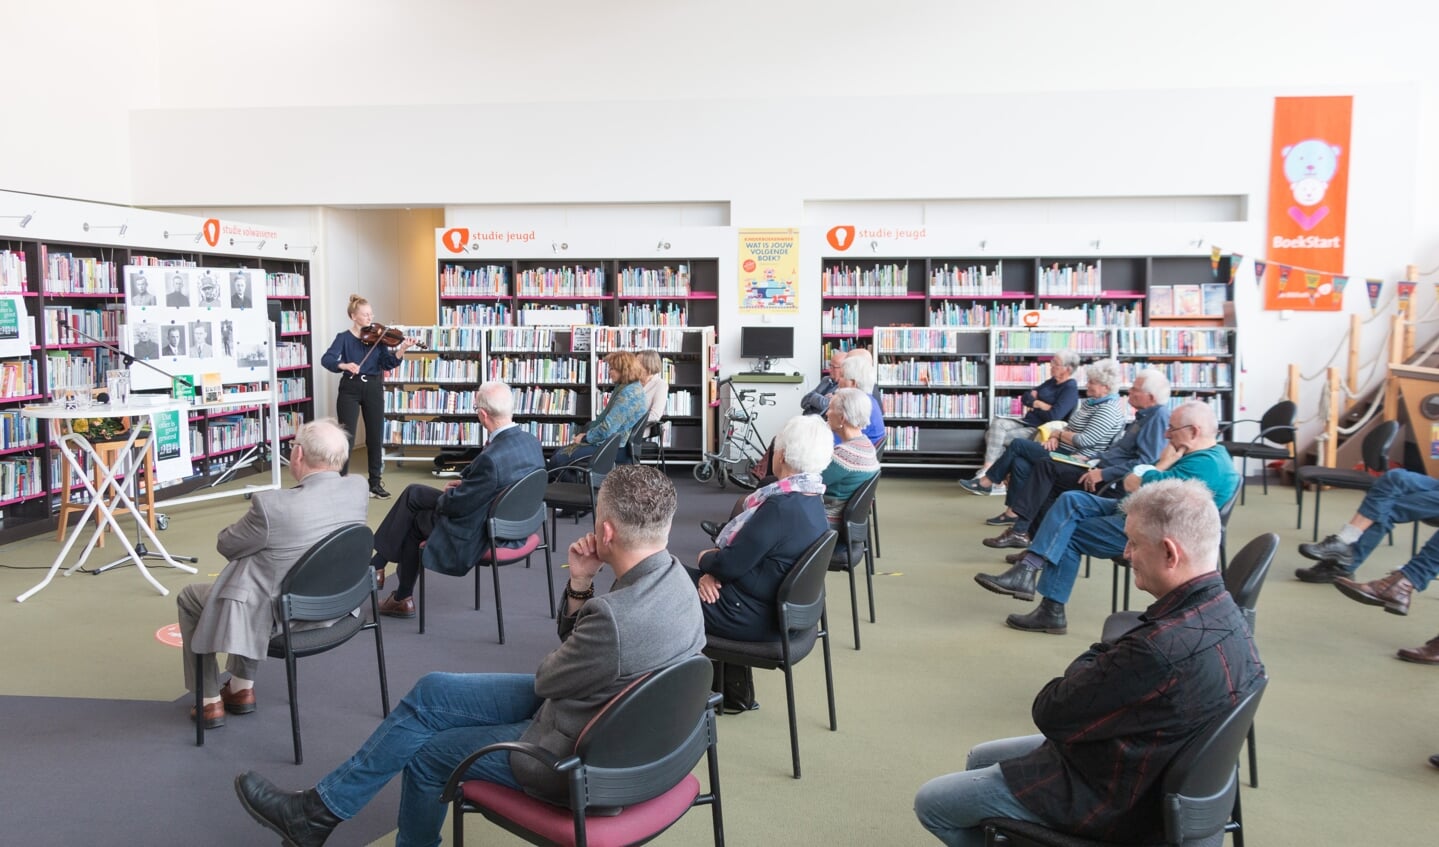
(1096,423)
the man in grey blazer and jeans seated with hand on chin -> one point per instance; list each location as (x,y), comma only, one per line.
(648,621)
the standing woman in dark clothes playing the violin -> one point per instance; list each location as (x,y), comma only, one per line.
(362,354)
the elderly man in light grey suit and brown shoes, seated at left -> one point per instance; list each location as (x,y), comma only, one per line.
(237,613)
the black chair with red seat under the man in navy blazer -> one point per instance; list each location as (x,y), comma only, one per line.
(517,514)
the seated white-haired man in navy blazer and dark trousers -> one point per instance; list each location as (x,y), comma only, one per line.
(451,523)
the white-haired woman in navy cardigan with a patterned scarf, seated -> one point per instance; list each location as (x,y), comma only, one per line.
(756,550)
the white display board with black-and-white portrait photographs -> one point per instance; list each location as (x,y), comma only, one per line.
(191,321)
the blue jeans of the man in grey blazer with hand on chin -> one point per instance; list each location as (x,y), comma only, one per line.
(445,718)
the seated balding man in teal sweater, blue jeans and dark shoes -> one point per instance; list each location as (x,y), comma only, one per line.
(1083,524)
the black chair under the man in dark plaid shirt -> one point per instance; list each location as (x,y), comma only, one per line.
(1201,793)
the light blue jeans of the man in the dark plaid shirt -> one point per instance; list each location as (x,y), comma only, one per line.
(953,806)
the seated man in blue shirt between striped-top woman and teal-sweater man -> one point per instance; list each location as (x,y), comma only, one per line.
(1142,444)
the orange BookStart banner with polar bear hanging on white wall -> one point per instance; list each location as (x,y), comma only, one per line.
(1309,198)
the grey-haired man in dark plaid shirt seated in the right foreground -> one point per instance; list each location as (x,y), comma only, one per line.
(1106,738)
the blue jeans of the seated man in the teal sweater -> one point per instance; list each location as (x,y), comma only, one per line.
(1079,524)
